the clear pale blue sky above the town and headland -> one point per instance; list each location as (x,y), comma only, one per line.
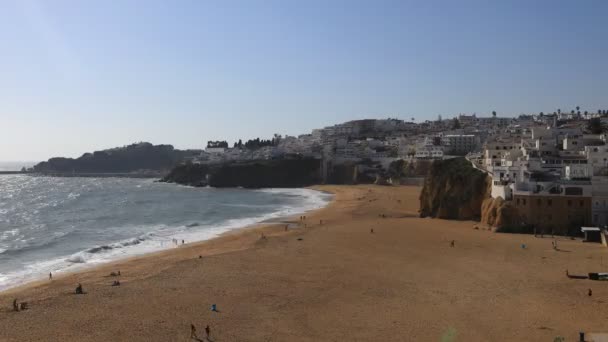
(76,76)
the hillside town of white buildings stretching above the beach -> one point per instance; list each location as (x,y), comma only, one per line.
(553,167)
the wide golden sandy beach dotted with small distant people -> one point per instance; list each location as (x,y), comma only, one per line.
(335,281)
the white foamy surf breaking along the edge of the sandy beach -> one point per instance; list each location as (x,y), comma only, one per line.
(150,238)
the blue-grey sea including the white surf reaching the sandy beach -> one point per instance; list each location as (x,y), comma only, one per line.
(50,224)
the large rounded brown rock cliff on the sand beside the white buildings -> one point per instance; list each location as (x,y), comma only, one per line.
(453,189)
